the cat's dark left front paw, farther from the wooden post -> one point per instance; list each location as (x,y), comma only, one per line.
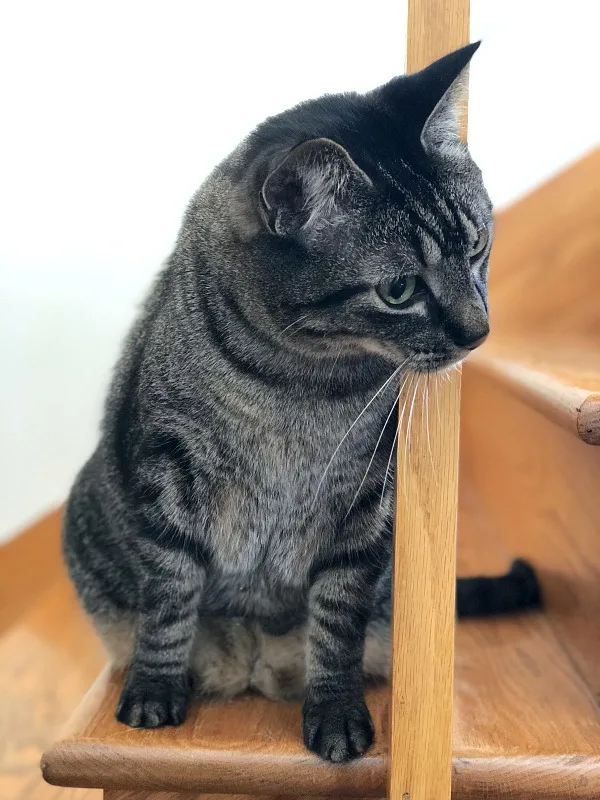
(151,702)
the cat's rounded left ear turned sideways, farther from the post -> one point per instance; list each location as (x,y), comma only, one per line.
(309,187)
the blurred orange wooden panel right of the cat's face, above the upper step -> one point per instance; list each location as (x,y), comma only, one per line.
(546,258)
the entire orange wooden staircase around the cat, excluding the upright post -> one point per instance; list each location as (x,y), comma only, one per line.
(526,718)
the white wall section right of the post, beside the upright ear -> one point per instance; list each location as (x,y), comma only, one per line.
(533,90)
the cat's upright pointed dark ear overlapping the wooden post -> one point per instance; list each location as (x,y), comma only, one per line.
(435,97)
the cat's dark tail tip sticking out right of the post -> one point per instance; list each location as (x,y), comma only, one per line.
(517,590)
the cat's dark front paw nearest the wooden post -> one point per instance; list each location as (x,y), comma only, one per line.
(338,729)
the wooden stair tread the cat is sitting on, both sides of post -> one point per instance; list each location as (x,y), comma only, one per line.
(524,719)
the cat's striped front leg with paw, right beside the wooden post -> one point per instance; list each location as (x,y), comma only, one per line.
(337,723)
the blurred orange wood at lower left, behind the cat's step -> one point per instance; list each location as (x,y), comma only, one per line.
(49,656)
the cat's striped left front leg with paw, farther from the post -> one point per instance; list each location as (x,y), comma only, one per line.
(158,684)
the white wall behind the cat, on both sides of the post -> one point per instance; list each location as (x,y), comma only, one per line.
(113,113)
